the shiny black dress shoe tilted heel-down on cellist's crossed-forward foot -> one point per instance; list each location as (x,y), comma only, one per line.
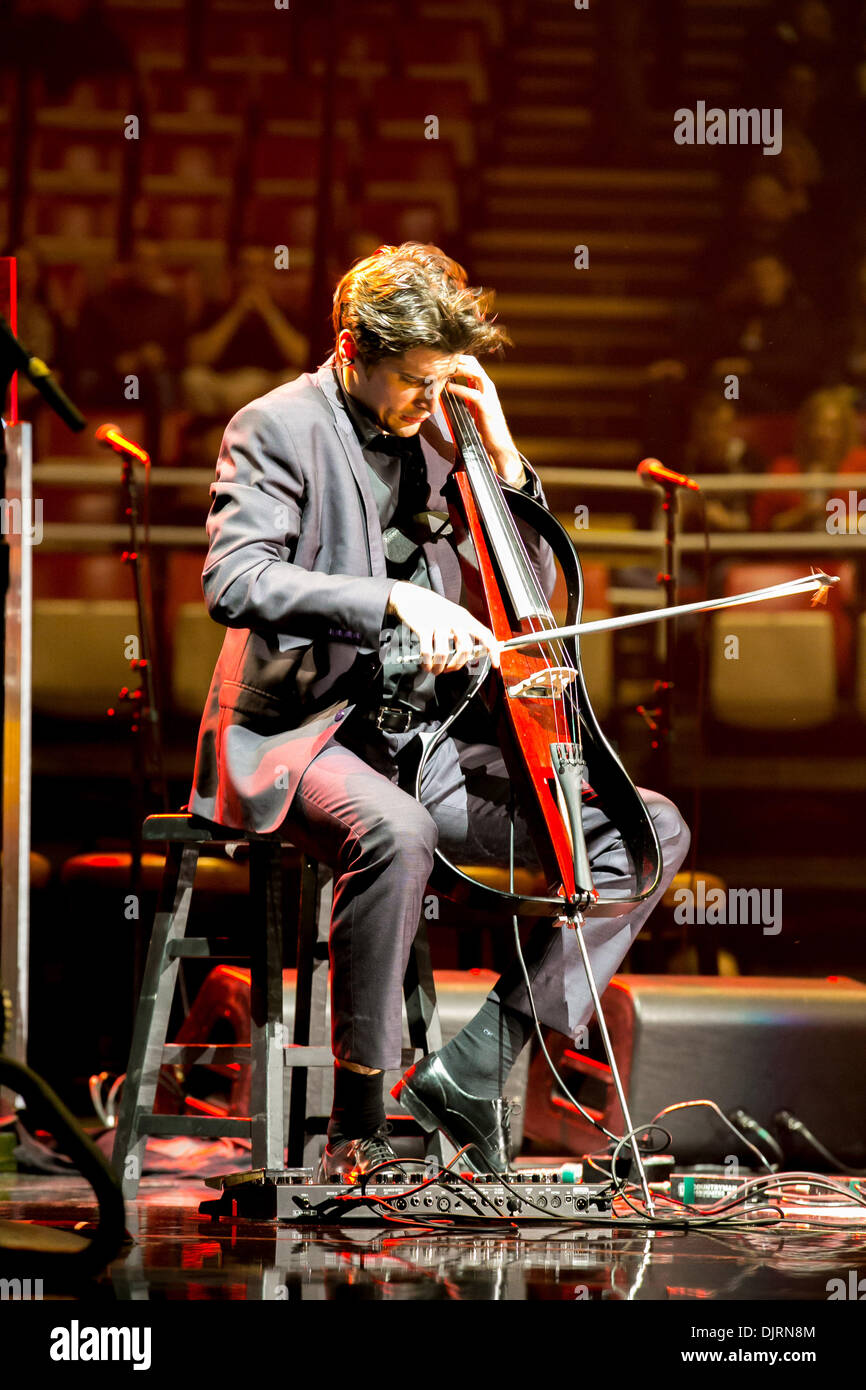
(436,1102)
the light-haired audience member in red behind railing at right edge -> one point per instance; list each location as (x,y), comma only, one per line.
(826,441)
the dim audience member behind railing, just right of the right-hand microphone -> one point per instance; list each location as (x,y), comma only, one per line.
(715,445)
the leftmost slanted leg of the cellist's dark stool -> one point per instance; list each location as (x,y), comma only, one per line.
(152,1017)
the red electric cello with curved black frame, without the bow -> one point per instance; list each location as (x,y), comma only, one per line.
(553,743)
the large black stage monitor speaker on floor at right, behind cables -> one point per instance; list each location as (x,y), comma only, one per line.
(760,1045)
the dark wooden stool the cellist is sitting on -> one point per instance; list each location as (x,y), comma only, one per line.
(269,1053)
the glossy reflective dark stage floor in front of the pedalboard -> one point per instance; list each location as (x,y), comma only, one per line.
(179,1256)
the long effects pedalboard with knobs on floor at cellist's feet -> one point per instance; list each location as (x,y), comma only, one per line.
(293,1196)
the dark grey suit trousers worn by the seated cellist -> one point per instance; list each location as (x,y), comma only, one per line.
(352,814)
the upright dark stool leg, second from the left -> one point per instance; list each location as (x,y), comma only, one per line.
(268,1035)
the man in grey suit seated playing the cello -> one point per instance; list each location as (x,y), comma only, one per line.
(308,725)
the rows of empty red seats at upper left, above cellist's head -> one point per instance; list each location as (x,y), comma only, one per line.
(215,133)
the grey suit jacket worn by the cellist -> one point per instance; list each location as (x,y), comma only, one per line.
(297,573)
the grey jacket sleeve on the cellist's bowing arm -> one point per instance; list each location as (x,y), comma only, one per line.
(254,525)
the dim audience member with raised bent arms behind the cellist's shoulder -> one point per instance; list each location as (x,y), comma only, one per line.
(245,345)
